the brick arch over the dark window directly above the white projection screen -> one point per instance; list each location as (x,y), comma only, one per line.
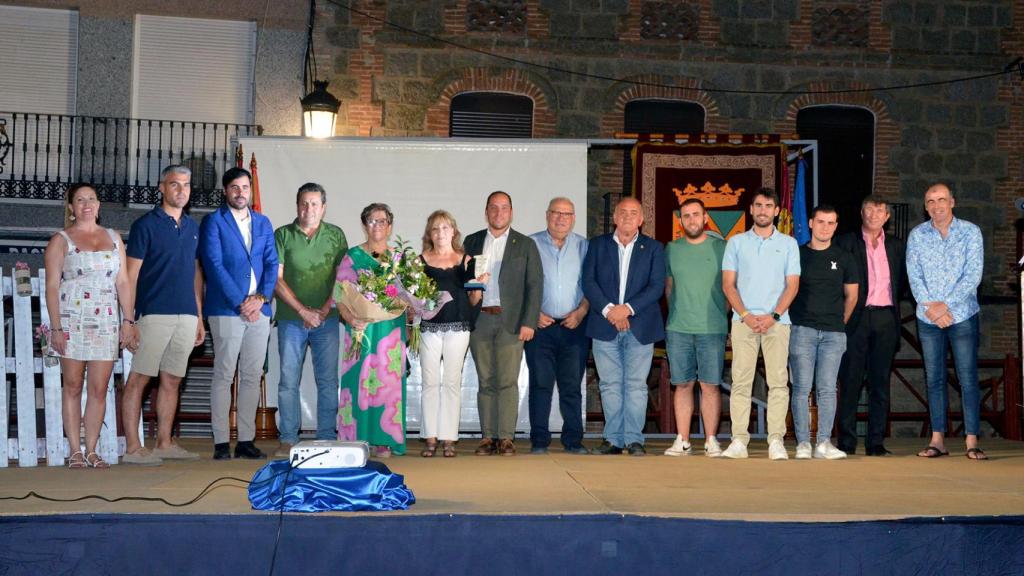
(494,80)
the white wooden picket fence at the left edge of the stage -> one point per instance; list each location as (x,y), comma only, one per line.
(29,448)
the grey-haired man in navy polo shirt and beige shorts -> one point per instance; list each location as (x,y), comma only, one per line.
(168,287)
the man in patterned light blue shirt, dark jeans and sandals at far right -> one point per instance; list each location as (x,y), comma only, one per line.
(945,260)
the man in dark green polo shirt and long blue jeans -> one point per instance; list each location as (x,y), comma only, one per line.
(310,252)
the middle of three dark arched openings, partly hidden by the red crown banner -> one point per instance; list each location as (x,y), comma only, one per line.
(659,117)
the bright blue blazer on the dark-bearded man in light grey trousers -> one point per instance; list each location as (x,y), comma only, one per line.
(227,264)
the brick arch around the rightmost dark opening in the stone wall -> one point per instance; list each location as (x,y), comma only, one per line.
(886,182)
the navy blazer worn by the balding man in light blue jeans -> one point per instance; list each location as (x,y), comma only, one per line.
(645,287)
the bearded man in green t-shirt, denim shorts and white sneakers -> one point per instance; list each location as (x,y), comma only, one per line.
(698,326)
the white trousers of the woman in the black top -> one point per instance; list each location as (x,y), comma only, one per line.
(442,357)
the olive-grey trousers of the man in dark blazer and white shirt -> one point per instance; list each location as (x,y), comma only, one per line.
(498,356)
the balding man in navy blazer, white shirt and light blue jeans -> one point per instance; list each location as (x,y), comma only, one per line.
(624,279)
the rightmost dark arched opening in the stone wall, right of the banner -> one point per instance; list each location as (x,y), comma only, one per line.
(846,158)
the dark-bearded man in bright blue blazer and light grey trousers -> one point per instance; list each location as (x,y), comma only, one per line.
(240,263)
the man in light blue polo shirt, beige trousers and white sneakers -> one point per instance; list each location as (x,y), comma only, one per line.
(760,278)
